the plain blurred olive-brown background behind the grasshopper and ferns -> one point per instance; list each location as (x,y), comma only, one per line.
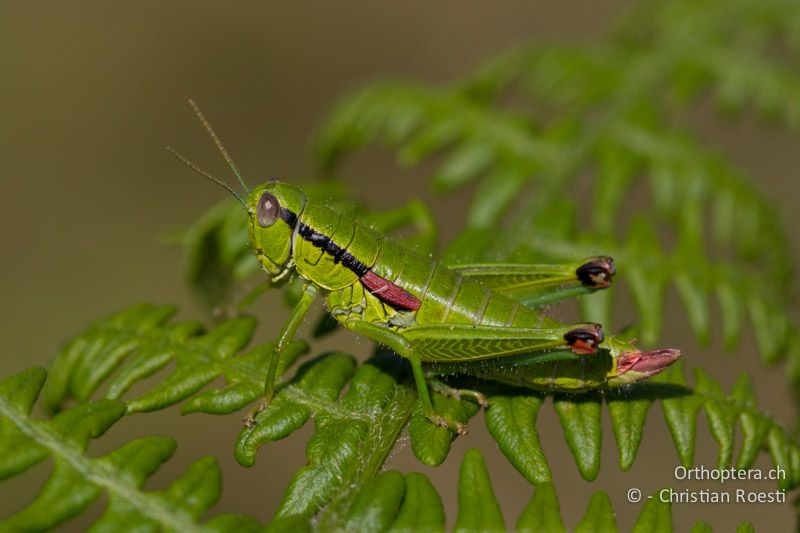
(91,94)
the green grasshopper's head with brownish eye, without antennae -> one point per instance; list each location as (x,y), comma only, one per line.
(273,211)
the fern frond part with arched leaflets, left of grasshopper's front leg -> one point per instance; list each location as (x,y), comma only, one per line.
(139,341)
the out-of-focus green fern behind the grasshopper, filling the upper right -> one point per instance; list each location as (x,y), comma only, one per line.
(529,125)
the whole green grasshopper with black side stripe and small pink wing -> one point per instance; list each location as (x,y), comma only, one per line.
(429,313)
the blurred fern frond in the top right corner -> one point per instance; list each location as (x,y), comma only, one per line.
(728,49)
